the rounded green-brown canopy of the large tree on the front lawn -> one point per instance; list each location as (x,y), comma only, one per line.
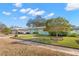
(58,25)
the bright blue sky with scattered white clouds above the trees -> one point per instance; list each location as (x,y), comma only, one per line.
(17,14)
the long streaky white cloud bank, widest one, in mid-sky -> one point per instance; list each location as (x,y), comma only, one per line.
(32,12)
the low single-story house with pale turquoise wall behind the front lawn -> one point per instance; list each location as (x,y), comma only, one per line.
(28,30)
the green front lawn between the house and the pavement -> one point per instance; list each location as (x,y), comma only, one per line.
(67,41)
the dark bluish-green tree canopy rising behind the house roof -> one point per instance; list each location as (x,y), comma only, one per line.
(38,21)
